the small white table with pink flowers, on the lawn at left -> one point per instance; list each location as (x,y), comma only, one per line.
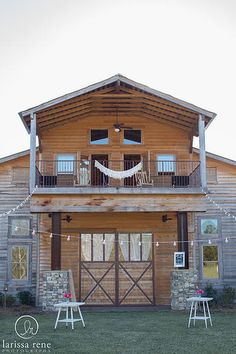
(69,307)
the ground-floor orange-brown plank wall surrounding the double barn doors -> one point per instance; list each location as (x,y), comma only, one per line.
(117,222)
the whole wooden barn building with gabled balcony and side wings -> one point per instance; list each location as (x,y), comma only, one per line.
(120,197)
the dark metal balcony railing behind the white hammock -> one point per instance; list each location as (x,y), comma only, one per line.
(174,174)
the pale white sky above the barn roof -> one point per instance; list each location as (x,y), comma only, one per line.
(185,48)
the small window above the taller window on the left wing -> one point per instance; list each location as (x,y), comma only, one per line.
(19,226)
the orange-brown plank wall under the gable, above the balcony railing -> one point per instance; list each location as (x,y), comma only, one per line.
(75,138)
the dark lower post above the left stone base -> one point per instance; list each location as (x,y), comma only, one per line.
(56,242)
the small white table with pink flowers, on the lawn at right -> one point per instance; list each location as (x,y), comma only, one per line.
(196,301)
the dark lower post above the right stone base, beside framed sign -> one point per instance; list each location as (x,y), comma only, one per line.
(182,230)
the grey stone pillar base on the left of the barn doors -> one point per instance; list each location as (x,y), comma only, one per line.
(55,285)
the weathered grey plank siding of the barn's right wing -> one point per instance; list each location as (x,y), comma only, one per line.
(223,192)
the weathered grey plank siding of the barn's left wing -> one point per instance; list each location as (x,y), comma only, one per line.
(14,188)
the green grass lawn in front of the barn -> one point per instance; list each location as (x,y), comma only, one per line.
(130,332)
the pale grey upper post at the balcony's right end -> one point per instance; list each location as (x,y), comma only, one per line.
(202,147)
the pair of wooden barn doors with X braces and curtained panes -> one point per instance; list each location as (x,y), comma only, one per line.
(117,269)
